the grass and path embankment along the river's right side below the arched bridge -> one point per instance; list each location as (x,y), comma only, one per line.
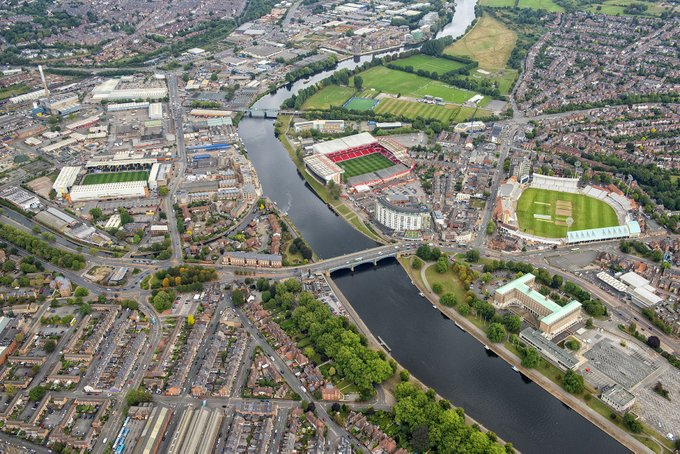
(544,382)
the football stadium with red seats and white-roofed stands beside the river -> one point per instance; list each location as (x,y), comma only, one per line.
(360,161)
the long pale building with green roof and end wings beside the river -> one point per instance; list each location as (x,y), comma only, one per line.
(552,319)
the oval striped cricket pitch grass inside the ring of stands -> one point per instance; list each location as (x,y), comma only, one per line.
(556,207)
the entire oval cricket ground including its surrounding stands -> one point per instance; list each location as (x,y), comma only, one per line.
(556,210)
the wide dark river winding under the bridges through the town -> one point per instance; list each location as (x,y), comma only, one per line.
(422,340)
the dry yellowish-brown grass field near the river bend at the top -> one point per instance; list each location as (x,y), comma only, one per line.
(489,42)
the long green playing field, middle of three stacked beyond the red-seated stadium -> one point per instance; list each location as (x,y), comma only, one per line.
(394,81)
